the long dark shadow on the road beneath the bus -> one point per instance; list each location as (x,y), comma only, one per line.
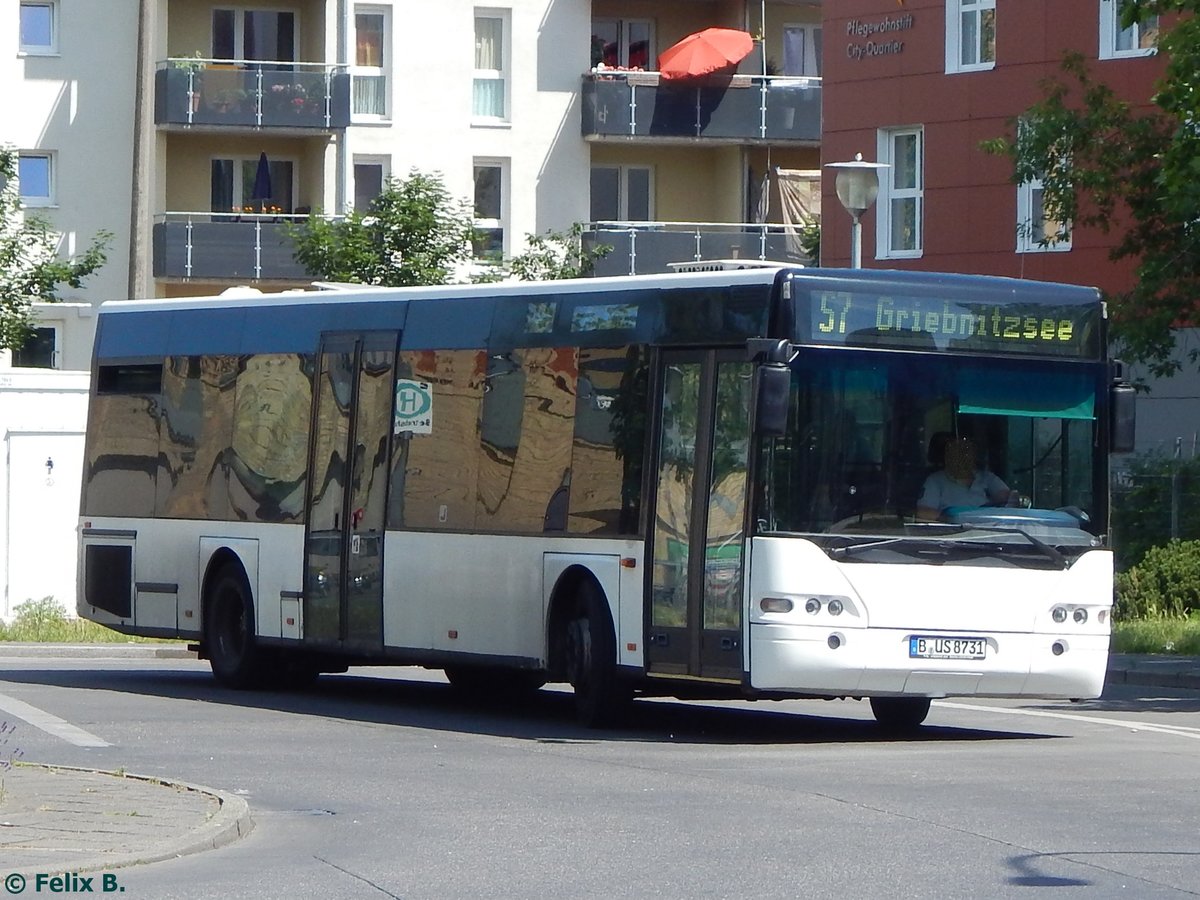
(545,717)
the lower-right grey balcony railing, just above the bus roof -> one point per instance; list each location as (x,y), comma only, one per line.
(650,248)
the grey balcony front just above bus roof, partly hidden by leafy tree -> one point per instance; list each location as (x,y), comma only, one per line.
(226,247)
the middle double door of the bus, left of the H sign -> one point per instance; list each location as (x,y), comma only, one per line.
(347,491)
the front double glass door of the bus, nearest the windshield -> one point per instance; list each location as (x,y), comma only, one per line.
(694,622)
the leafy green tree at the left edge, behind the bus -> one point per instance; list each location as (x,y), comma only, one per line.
(31,268)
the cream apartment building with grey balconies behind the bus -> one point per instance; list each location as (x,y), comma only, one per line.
(197,131)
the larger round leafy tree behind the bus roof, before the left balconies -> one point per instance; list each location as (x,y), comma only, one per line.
(413,233)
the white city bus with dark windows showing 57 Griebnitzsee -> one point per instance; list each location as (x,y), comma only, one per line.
(697,485)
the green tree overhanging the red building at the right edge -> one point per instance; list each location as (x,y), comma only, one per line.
(1106,166)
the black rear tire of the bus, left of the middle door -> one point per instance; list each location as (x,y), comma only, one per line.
(230,632)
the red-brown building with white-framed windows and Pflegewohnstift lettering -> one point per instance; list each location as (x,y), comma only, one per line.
(917,86)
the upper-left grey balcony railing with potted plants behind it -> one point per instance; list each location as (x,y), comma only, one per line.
(253,94)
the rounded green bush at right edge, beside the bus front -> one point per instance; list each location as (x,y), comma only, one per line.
(1165,585)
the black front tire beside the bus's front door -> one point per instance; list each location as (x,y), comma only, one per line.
(602,699)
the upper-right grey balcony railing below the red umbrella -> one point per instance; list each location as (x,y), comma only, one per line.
(731,109)
